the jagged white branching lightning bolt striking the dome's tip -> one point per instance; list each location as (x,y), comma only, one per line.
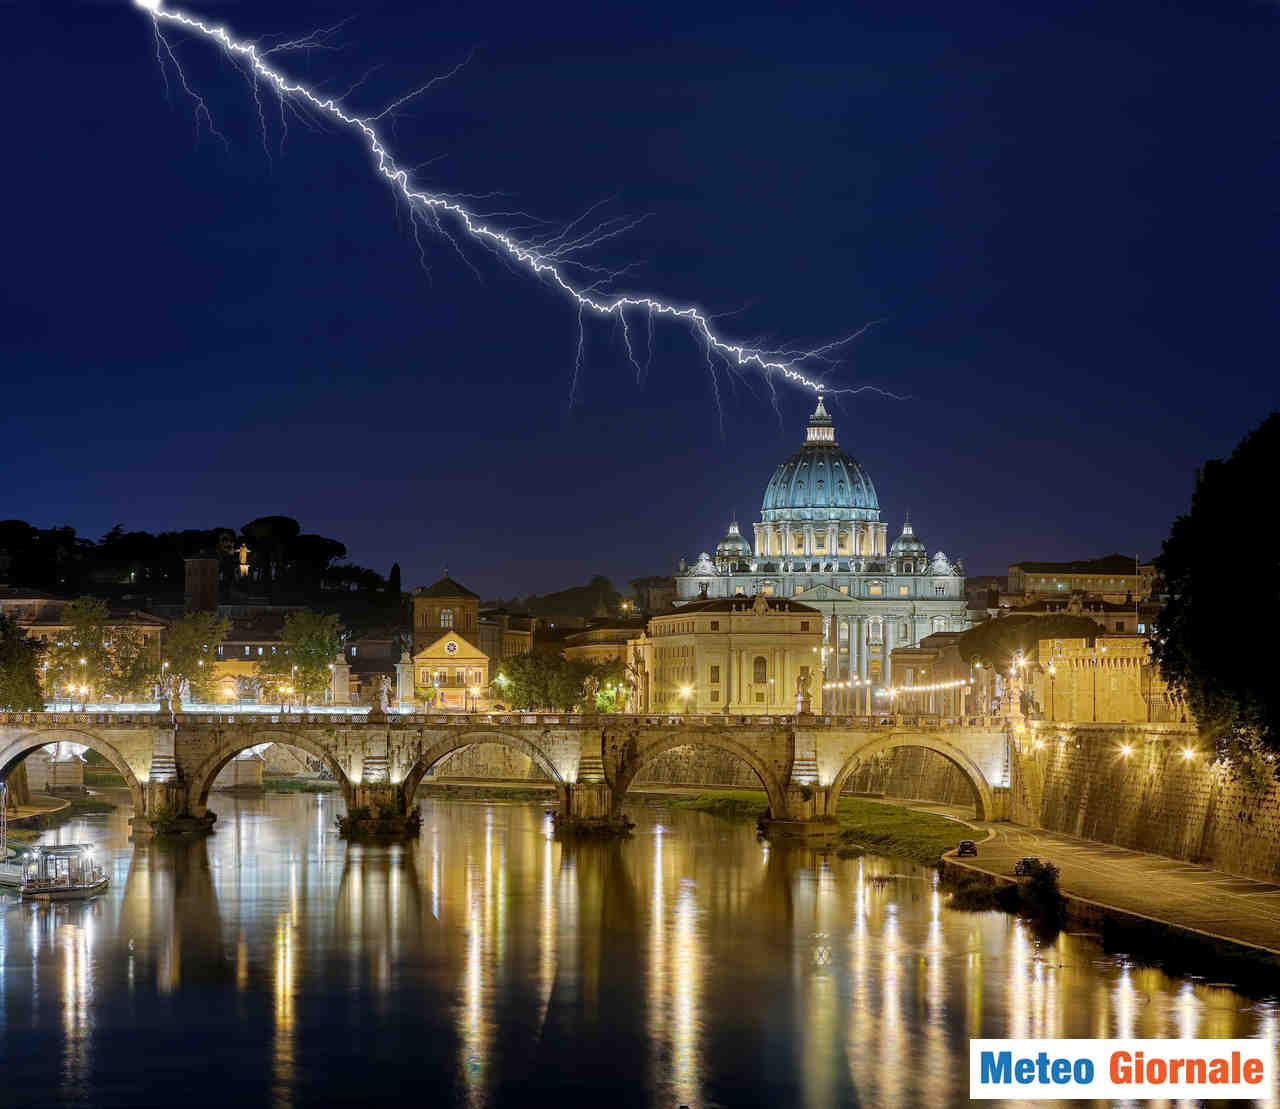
(546,261)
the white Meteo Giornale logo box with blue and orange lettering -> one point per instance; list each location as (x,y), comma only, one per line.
(1122,1069)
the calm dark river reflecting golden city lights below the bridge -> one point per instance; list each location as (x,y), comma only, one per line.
(490,964)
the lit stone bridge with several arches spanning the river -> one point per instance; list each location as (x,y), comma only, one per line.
(170,761)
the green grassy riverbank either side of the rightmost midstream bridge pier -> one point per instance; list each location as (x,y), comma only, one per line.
(865,825)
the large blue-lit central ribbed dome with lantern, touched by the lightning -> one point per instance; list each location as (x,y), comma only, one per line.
(820,482)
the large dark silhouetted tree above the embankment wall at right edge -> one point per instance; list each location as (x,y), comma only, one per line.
(1215,656)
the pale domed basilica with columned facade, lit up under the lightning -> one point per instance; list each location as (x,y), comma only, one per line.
(821,541)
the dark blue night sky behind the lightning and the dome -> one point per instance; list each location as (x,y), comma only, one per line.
(1066,221)
